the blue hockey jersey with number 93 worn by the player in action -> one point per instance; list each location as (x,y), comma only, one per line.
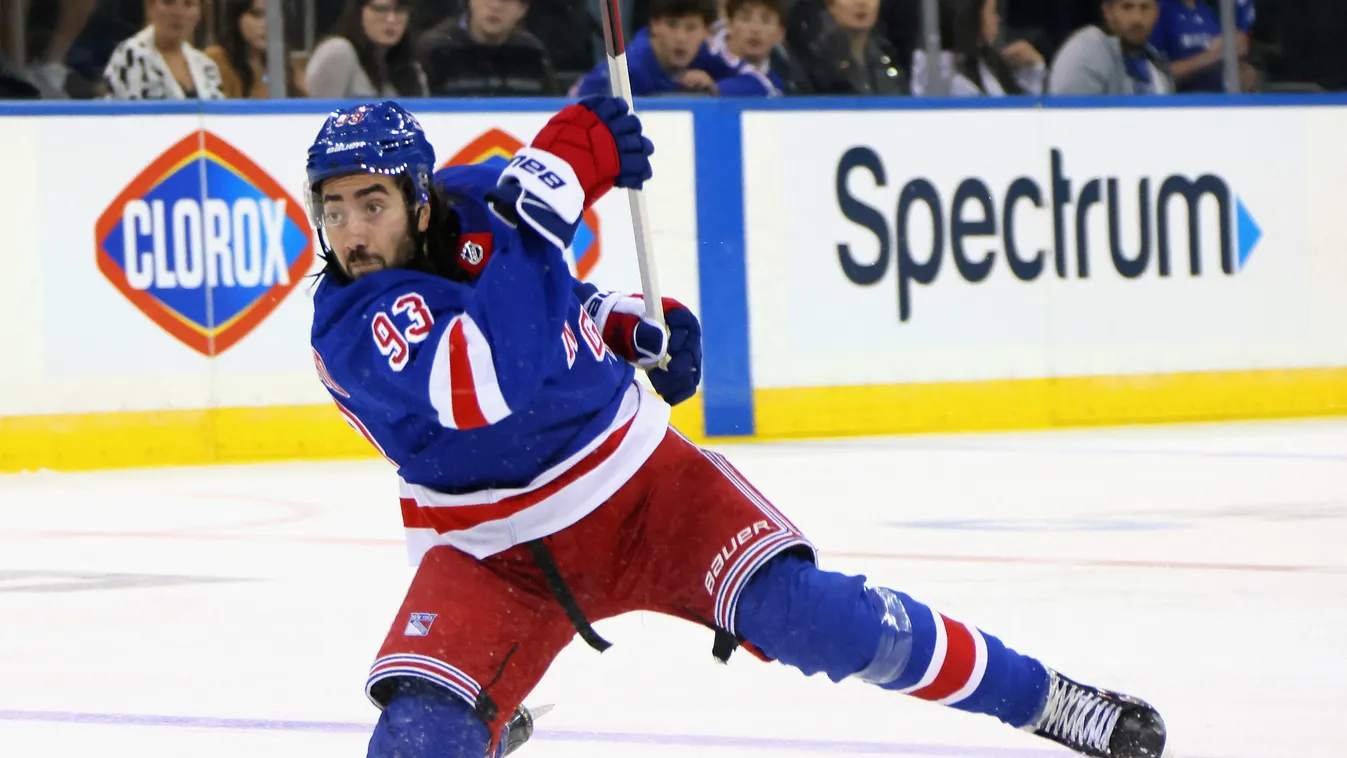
(498,401)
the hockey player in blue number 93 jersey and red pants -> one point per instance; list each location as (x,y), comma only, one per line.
(542,487)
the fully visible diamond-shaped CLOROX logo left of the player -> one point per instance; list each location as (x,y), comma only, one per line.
(205,243)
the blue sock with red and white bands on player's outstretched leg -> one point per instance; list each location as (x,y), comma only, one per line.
(821,621)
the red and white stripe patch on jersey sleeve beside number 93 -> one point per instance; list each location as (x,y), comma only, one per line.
(464,388)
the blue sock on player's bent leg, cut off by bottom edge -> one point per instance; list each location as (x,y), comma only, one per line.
(426,721)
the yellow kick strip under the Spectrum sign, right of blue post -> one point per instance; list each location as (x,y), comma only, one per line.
(1049,403)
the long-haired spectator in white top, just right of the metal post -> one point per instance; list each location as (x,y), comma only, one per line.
(971,65)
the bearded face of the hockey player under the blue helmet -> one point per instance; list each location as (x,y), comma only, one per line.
(364,219)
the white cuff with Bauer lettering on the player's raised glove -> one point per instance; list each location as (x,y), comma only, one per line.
(542,192)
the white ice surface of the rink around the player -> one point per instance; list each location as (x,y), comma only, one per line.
(235,611)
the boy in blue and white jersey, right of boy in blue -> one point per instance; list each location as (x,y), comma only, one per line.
(746,42)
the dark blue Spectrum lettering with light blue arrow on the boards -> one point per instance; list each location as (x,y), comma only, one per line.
(976,228)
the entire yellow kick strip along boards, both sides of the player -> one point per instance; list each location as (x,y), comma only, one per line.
(315,433)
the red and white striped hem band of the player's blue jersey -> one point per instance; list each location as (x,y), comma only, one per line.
(486,523)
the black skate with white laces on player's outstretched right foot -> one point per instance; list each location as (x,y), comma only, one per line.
(1100,724)
